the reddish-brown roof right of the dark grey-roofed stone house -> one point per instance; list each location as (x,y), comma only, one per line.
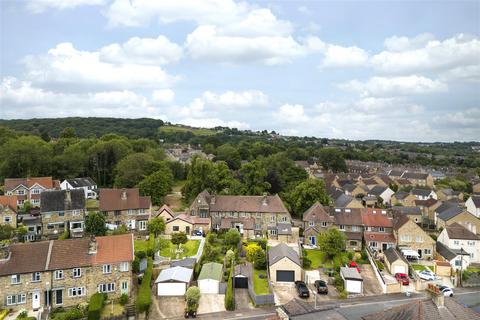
(122,199)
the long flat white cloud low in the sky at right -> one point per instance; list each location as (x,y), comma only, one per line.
(395,86)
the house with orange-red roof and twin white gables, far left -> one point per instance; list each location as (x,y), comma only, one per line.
(29,189)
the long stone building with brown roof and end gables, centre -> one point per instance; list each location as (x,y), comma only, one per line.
(252,215)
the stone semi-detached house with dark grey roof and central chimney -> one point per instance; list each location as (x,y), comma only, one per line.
(63,210)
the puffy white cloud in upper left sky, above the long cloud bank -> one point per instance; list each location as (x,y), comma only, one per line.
(146,51)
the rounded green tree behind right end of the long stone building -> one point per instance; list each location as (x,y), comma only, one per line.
(304,195)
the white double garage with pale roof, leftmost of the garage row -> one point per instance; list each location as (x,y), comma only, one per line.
(173,281)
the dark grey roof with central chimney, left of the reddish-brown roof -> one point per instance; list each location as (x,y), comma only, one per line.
(62,200)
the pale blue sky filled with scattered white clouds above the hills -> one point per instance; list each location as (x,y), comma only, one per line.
(390,70)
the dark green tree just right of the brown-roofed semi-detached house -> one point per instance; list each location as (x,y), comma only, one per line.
(158,184)
